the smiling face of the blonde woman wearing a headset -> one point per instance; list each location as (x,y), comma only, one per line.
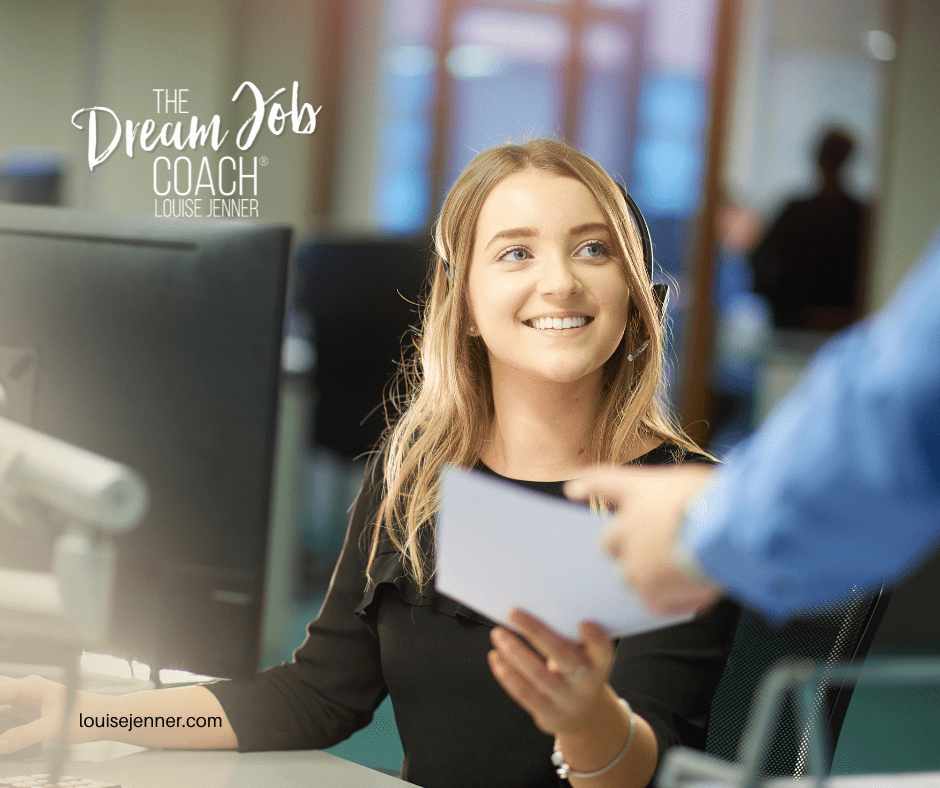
(547,293)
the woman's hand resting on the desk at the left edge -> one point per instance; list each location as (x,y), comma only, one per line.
(39,703)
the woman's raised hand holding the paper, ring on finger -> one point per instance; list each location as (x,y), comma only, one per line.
(562,684)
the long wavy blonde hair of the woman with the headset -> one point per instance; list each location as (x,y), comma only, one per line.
(445,393)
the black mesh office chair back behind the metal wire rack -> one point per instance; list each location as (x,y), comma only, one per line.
(840,633)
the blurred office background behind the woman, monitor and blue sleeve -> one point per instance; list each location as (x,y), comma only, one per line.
(709,111)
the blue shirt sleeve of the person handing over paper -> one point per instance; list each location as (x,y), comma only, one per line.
(840,486)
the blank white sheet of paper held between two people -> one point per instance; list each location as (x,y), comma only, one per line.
(500,546)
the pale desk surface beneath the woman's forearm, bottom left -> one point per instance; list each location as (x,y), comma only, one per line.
(136,767)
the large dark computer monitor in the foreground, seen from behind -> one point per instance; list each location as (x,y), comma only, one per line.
(157,343)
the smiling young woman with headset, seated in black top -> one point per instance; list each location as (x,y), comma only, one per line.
(526,367)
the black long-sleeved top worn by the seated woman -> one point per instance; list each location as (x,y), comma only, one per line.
(457,725)
